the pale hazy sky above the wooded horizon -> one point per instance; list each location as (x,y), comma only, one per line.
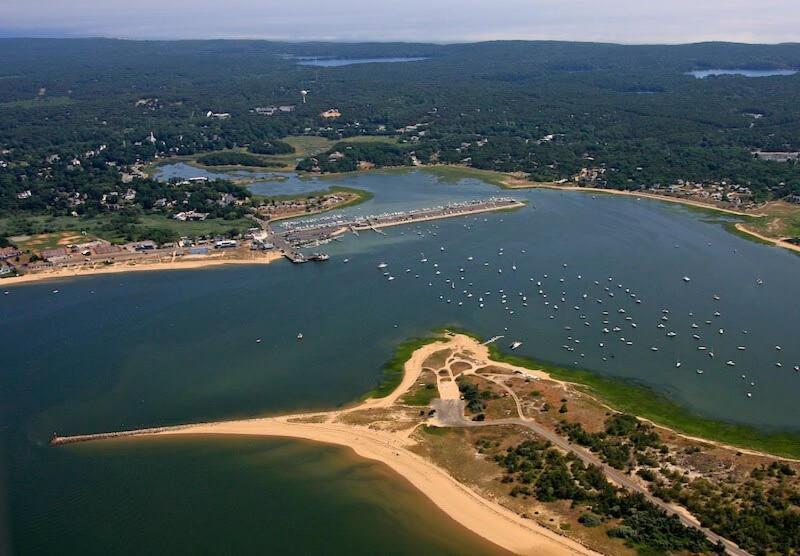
(629,21)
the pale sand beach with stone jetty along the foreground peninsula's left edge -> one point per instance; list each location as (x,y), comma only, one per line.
(486,518)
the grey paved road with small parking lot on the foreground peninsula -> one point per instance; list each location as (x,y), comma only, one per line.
(450,413)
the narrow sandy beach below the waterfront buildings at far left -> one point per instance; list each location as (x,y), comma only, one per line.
(186,263)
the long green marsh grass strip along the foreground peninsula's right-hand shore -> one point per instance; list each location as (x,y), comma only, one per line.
(630,397)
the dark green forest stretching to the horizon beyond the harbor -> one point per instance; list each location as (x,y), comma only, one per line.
(77,115)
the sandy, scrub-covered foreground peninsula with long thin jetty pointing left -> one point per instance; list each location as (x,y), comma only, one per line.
(484,441)
